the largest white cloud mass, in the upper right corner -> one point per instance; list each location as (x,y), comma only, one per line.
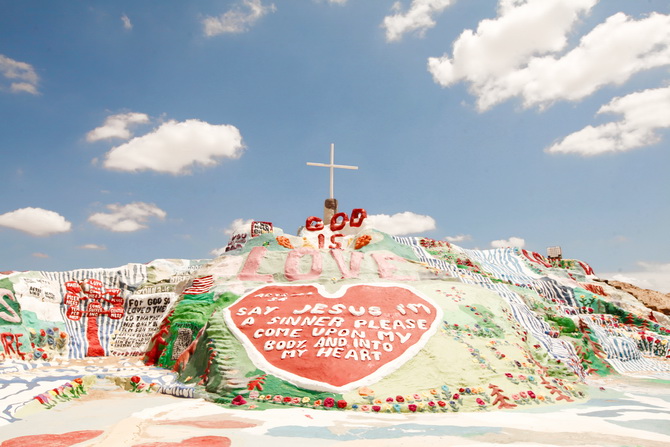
(519,53)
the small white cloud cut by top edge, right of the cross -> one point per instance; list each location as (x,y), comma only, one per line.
(418,18)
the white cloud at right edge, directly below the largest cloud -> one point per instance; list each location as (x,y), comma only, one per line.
(643,114)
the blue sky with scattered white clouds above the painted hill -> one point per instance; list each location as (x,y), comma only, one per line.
(133,131)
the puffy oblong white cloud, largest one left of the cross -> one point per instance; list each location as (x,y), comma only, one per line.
(175,146)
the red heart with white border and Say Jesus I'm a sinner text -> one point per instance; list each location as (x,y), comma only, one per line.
(332,342)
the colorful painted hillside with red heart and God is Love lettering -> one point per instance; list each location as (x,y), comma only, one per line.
(346,317)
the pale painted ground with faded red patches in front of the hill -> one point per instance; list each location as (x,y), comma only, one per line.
(621,412)
